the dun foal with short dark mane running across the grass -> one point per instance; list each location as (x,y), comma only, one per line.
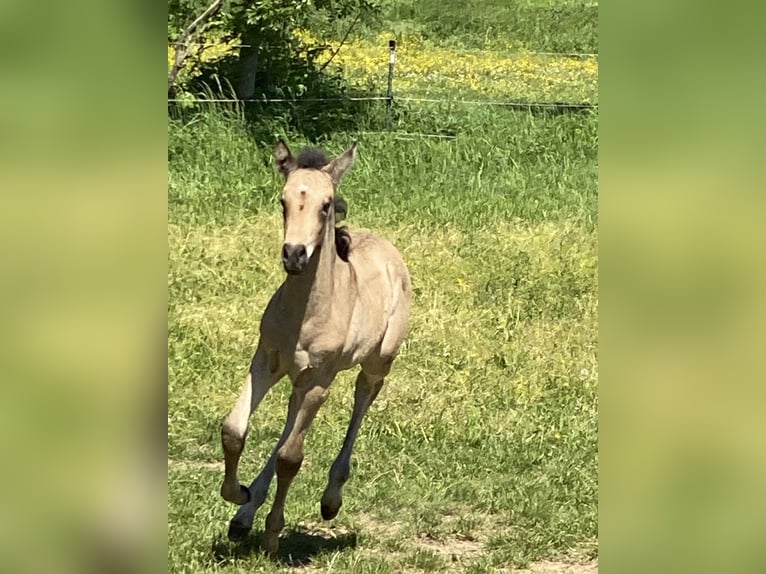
(345,302)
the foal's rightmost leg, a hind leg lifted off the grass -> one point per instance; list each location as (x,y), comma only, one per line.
(367,388)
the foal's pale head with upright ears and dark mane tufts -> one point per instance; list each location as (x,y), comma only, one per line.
(309,202)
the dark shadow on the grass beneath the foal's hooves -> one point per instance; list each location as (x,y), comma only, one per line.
(297,546)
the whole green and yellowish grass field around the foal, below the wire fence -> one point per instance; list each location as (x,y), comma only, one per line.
(480,454)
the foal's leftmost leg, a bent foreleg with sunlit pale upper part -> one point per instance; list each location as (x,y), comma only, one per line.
(263,374)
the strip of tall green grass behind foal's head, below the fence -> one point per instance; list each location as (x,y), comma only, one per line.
(500,165)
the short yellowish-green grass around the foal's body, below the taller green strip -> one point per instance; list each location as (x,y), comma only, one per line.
(489,413)
